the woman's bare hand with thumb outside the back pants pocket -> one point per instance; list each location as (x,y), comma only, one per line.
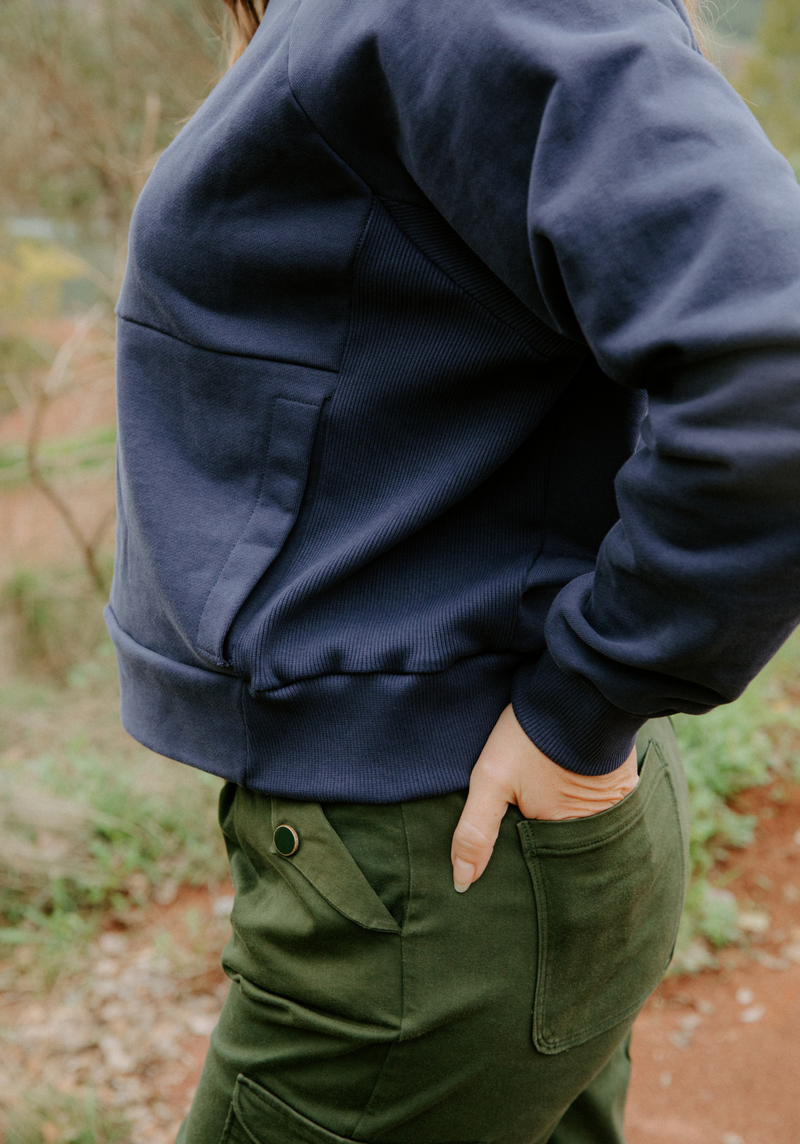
(511,769)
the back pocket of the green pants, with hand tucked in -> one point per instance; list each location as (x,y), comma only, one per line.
(609,894)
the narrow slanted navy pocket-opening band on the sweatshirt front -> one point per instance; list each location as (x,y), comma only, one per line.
(289,455)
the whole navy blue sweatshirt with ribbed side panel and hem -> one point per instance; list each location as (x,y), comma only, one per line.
(460,363)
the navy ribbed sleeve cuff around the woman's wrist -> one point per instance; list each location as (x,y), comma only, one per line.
(571,721)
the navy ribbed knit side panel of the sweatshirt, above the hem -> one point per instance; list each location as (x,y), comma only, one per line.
(435,474)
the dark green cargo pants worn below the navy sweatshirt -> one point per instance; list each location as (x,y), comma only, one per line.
(371,1003)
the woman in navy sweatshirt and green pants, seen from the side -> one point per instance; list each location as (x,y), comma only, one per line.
(460,446)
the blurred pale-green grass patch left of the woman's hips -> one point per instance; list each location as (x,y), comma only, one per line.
(91,823)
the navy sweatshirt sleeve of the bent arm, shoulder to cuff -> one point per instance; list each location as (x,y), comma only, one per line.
(616,182)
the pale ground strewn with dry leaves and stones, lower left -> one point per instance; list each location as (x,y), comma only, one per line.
(132,1029)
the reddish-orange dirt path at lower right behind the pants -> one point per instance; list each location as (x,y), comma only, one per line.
(716,1056)
